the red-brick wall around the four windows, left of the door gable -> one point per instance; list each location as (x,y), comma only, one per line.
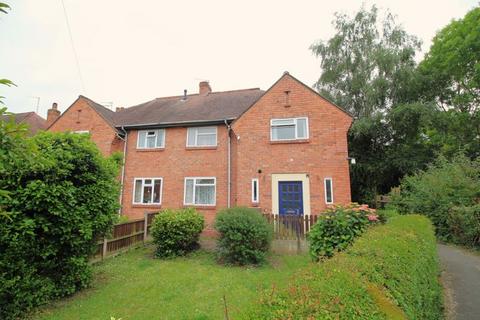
(173,163)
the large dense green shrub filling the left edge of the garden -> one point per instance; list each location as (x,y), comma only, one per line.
(60,195)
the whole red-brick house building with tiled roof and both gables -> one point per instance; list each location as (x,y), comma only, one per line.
(283,150)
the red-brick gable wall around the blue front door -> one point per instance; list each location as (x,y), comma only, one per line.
(323,155)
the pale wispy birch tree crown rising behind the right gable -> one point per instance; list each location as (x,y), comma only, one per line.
(368,65)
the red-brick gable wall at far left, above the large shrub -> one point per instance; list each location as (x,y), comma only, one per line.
(80,116)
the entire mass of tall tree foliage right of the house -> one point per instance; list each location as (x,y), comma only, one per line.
(368,68)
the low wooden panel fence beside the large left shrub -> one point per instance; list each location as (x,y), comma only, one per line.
(125,235)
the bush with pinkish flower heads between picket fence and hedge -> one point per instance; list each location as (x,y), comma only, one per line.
(337,227)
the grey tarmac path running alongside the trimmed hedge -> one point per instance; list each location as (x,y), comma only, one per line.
(461,278)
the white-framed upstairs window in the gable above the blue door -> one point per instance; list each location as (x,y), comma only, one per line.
(289,129)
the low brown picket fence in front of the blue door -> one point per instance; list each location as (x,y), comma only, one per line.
(291,226)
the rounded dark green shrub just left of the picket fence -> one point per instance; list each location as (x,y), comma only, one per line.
(245,236)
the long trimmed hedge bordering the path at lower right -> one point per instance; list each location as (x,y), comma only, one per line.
(391,272)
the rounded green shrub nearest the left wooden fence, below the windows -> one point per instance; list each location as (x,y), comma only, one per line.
(176,232)
